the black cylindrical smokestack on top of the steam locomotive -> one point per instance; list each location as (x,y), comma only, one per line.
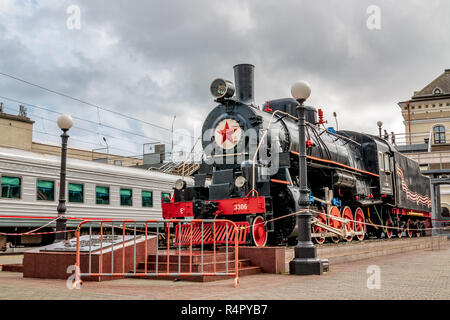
(244,80)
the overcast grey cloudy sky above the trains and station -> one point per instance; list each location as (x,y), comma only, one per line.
(152,60)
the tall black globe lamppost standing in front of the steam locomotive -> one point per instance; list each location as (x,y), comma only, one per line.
(305,261)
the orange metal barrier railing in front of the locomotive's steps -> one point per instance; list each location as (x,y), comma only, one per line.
(150,249)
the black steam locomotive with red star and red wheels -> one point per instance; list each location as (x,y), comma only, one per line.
(359,184)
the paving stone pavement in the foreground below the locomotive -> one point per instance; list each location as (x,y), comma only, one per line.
(420,274)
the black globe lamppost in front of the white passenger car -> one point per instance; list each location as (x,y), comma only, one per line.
(64,123)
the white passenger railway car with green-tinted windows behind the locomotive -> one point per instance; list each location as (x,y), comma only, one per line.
(30,191)
